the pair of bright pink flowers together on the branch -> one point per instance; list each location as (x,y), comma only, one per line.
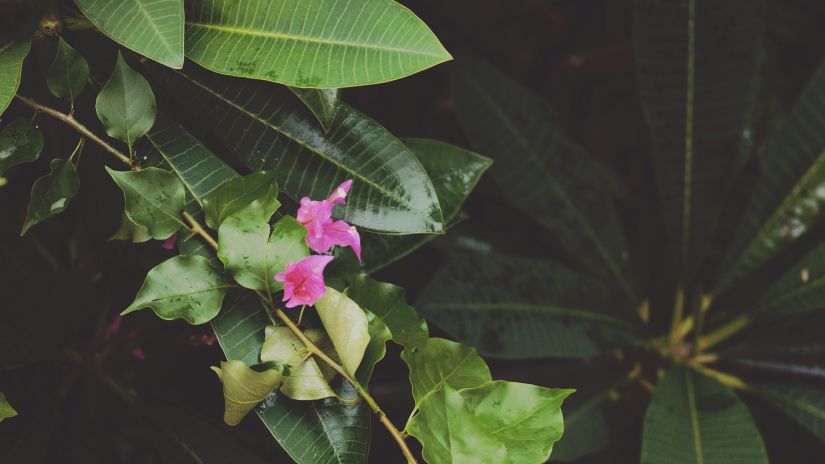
(304,280)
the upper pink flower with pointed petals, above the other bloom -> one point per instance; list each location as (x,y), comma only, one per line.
(322,232)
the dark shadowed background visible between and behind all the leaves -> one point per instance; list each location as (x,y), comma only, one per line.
(65,281)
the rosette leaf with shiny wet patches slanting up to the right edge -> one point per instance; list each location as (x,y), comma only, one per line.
(787,199)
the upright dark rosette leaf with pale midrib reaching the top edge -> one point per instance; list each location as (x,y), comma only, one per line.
(698,67)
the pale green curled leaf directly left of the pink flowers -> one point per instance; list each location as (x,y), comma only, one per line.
(253,254)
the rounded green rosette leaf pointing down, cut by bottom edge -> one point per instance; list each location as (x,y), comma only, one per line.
(695,419)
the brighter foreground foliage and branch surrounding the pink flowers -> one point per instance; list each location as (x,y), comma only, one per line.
(302,138)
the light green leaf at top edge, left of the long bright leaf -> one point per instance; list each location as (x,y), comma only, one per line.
(153,28)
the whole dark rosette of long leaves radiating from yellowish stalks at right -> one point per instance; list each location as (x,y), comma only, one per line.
(744,298)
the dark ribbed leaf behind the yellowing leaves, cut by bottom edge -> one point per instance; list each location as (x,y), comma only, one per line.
(319,431)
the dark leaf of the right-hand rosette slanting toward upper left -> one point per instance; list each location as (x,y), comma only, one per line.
(543,172)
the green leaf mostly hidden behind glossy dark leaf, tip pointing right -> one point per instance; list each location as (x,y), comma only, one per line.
(454,173)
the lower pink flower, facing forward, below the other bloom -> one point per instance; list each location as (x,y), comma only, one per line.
(304,280)
